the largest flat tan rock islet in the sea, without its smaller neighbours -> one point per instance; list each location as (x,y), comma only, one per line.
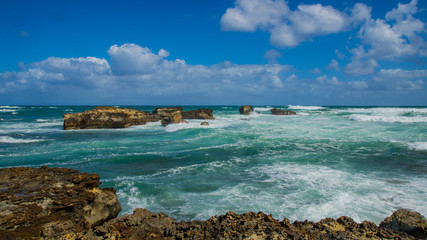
(107,117)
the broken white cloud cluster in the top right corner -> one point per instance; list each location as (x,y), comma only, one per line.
(397,36)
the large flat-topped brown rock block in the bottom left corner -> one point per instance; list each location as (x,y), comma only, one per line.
(52,202)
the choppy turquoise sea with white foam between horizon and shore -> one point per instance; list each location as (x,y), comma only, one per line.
(362,162)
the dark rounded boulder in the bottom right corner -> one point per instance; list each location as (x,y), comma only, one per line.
(410,222)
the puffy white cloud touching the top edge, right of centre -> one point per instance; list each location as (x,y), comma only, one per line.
(288,28)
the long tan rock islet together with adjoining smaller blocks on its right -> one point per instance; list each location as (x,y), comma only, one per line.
(113,117)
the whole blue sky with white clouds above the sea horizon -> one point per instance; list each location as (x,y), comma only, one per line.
(213,52)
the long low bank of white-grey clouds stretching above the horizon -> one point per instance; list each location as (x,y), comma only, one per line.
(138,71)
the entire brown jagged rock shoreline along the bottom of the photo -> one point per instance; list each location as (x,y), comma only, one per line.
(57,203)
